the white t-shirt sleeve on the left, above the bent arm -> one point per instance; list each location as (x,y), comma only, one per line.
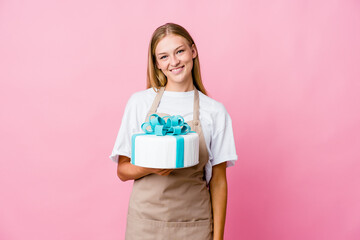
(128,126)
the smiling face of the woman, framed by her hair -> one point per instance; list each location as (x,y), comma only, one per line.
(174,57)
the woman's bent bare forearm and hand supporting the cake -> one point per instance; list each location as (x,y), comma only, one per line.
(127,171)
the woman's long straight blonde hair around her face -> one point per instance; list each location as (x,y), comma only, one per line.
(155,77)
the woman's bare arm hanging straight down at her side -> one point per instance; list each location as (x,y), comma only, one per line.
(218,192)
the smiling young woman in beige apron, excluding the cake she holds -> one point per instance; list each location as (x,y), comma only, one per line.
(188,203)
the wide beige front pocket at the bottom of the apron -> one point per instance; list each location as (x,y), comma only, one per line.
(146,229)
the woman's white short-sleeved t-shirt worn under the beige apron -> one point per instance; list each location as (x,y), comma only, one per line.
(215,122)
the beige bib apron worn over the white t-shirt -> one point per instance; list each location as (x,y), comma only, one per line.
(173,207)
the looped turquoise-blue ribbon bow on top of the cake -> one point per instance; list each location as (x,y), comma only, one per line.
(168,125)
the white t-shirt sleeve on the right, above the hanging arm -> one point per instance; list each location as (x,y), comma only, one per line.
(222,143)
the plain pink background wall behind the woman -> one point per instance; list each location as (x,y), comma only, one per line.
(287,72)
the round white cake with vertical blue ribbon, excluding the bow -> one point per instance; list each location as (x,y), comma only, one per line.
(165,152)
